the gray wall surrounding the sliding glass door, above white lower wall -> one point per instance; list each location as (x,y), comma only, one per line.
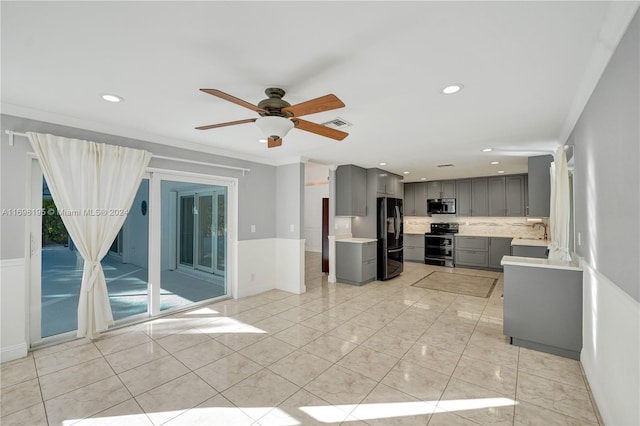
(256,190)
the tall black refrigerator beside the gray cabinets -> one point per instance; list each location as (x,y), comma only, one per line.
(389,234)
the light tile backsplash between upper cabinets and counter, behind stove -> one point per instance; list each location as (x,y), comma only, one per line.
(480,226)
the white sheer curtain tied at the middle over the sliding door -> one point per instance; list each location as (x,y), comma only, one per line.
(93,185)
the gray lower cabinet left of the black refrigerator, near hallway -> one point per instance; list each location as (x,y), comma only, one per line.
(356,262)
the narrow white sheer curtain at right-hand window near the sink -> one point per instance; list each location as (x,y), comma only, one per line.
(559,216)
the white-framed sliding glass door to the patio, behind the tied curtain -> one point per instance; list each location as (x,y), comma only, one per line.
(182,262)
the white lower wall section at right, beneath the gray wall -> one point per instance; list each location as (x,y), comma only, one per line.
(611,348)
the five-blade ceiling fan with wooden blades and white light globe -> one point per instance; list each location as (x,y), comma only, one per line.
(278,116)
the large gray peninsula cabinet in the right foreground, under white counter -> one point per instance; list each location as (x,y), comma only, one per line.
(543,309)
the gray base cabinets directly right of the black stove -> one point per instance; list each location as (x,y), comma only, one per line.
(481,252)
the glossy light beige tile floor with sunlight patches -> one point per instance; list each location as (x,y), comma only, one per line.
(385,353)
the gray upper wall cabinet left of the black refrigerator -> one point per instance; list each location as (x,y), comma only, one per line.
(351,191)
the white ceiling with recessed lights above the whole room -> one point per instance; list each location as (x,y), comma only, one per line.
(527,67)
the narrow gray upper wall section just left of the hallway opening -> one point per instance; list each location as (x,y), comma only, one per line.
(289,201)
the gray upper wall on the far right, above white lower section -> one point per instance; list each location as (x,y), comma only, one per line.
(607,160)
